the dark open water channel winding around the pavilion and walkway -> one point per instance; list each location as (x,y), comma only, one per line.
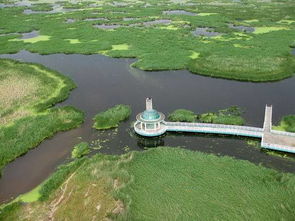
(103,82)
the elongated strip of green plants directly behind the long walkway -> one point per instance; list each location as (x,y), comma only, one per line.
(231,115)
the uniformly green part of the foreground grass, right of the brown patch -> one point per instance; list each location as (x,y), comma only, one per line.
(177,184)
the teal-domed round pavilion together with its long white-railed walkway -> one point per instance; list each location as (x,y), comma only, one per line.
(151,123)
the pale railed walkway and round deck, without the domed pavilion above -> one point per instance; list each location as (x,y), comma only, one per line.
(270,139)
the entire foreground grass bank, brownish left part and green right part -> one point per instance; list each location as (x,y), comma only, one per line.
(161,184)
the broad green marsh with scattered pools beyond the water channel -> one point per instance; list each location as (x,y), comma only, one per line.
(261,54)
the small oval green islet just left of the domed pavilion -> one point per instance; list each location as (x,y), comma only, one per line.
(111,117)
